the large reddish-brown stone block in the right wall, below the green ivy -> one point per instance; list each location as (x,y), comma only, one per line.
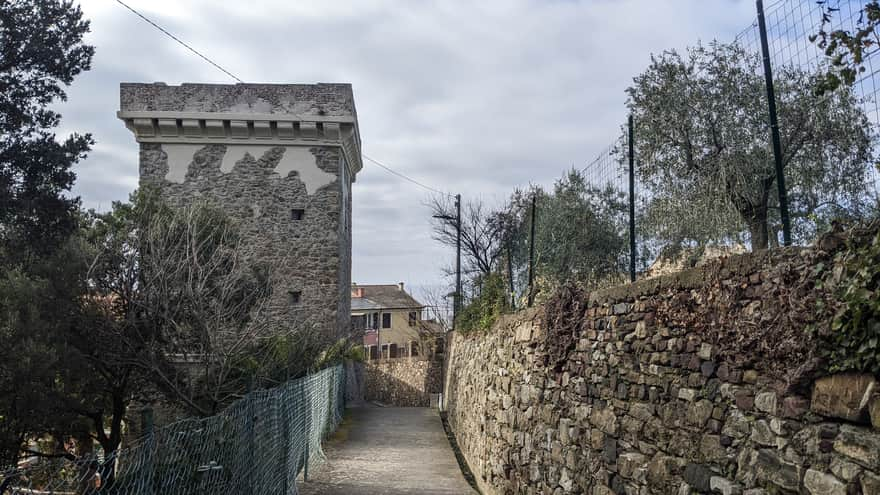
(845,396)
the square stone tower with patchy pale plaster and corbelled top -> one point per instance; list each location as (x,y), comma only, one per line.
(280,160)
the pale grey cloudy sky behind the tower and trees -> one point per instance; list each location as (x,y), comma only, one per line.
(471,97)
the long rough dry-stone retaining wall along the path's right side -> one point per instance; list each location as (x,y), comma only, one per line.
(699,382)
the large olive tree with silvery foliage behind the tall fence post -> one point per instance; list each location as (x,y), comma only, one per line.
(705,166)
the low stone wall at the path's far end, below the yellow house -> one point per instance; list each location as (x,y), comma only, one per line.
(402,382)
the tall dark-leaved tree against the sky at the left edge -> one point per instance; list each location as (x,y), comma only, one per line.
(41,51)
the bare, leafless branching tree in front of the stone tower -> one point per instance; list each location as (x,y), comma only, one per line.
(189,307)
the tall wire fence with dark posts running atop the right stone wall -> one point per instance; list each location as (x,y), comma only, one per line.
(692,170)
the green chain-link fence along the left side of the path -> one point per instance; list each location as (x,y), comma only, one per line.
(260,445)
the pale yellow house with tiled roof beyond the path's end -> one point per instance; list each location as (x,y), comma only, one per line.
(392,322)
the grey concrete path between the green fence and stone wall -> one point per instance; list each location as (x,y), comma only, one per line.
(388,451)
